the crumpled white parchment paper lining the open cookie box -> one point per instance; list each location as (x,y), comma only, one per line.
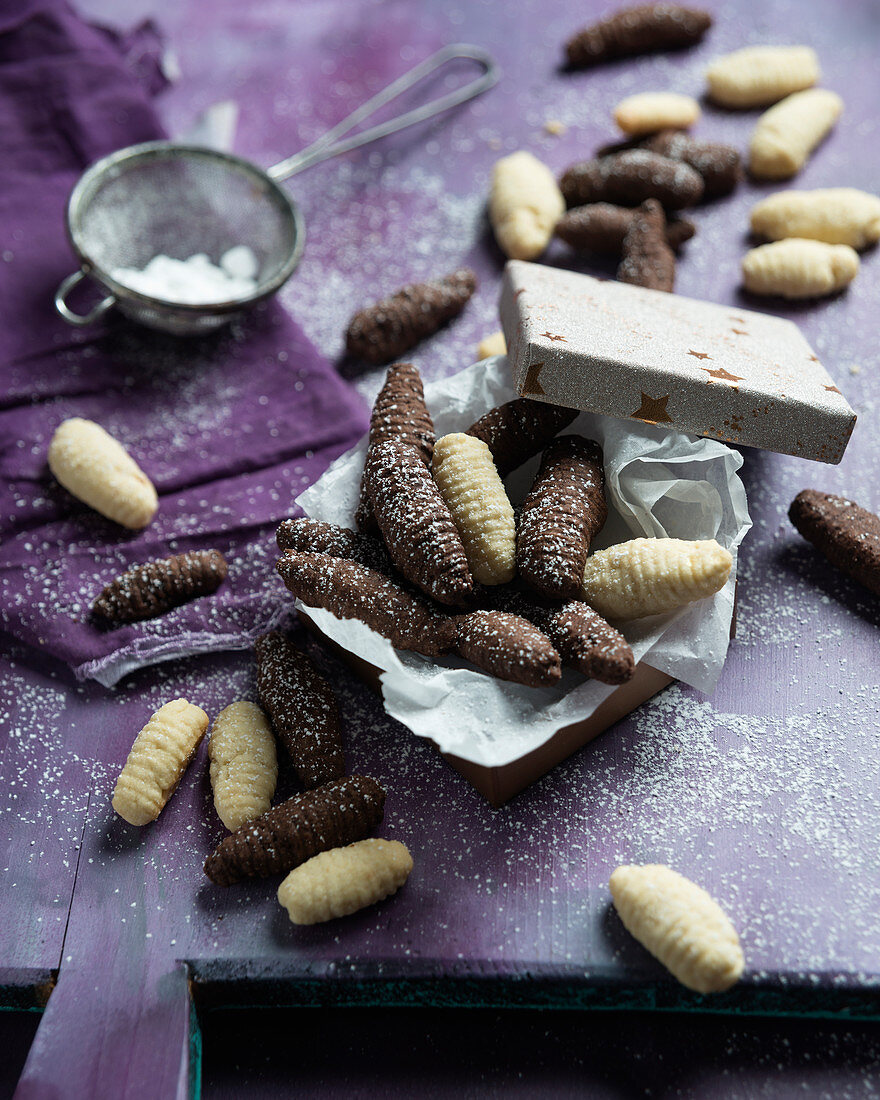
(659,483)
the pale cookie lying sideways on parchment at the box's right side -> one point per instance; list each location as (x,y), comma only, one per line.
(651,577)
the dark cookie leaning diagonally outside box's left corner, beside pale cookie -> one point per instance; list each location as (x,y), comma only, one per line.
(303,709)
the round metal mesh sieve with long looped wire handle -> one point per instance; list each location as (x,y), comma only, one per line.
(175,200)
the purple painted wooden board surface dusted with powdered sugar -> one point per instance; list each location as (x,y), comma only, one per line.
(766,793)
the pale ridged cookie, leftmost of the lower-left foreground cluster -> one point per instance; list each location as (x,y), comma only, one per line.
(158,761)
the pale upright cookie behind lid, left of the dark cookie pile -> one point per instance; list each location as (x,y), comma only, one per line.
(524,205)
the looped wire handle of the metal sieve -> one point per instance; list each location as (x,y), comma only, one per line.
(328,146)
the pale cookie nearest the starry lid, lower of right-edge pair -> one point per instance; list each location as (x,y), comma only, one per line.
(799,269)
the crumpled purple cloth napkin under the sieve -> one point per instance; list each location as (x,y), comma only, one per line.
(229,428)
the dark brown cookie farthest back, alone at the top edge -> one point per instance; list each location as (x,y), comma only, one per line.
(629,32)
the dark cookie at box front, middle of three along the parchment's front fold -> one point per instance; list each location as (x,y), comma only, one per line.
(508,647)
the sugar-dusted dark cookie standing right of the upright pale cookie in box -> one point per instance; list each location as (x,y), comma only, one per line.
(562,515)
